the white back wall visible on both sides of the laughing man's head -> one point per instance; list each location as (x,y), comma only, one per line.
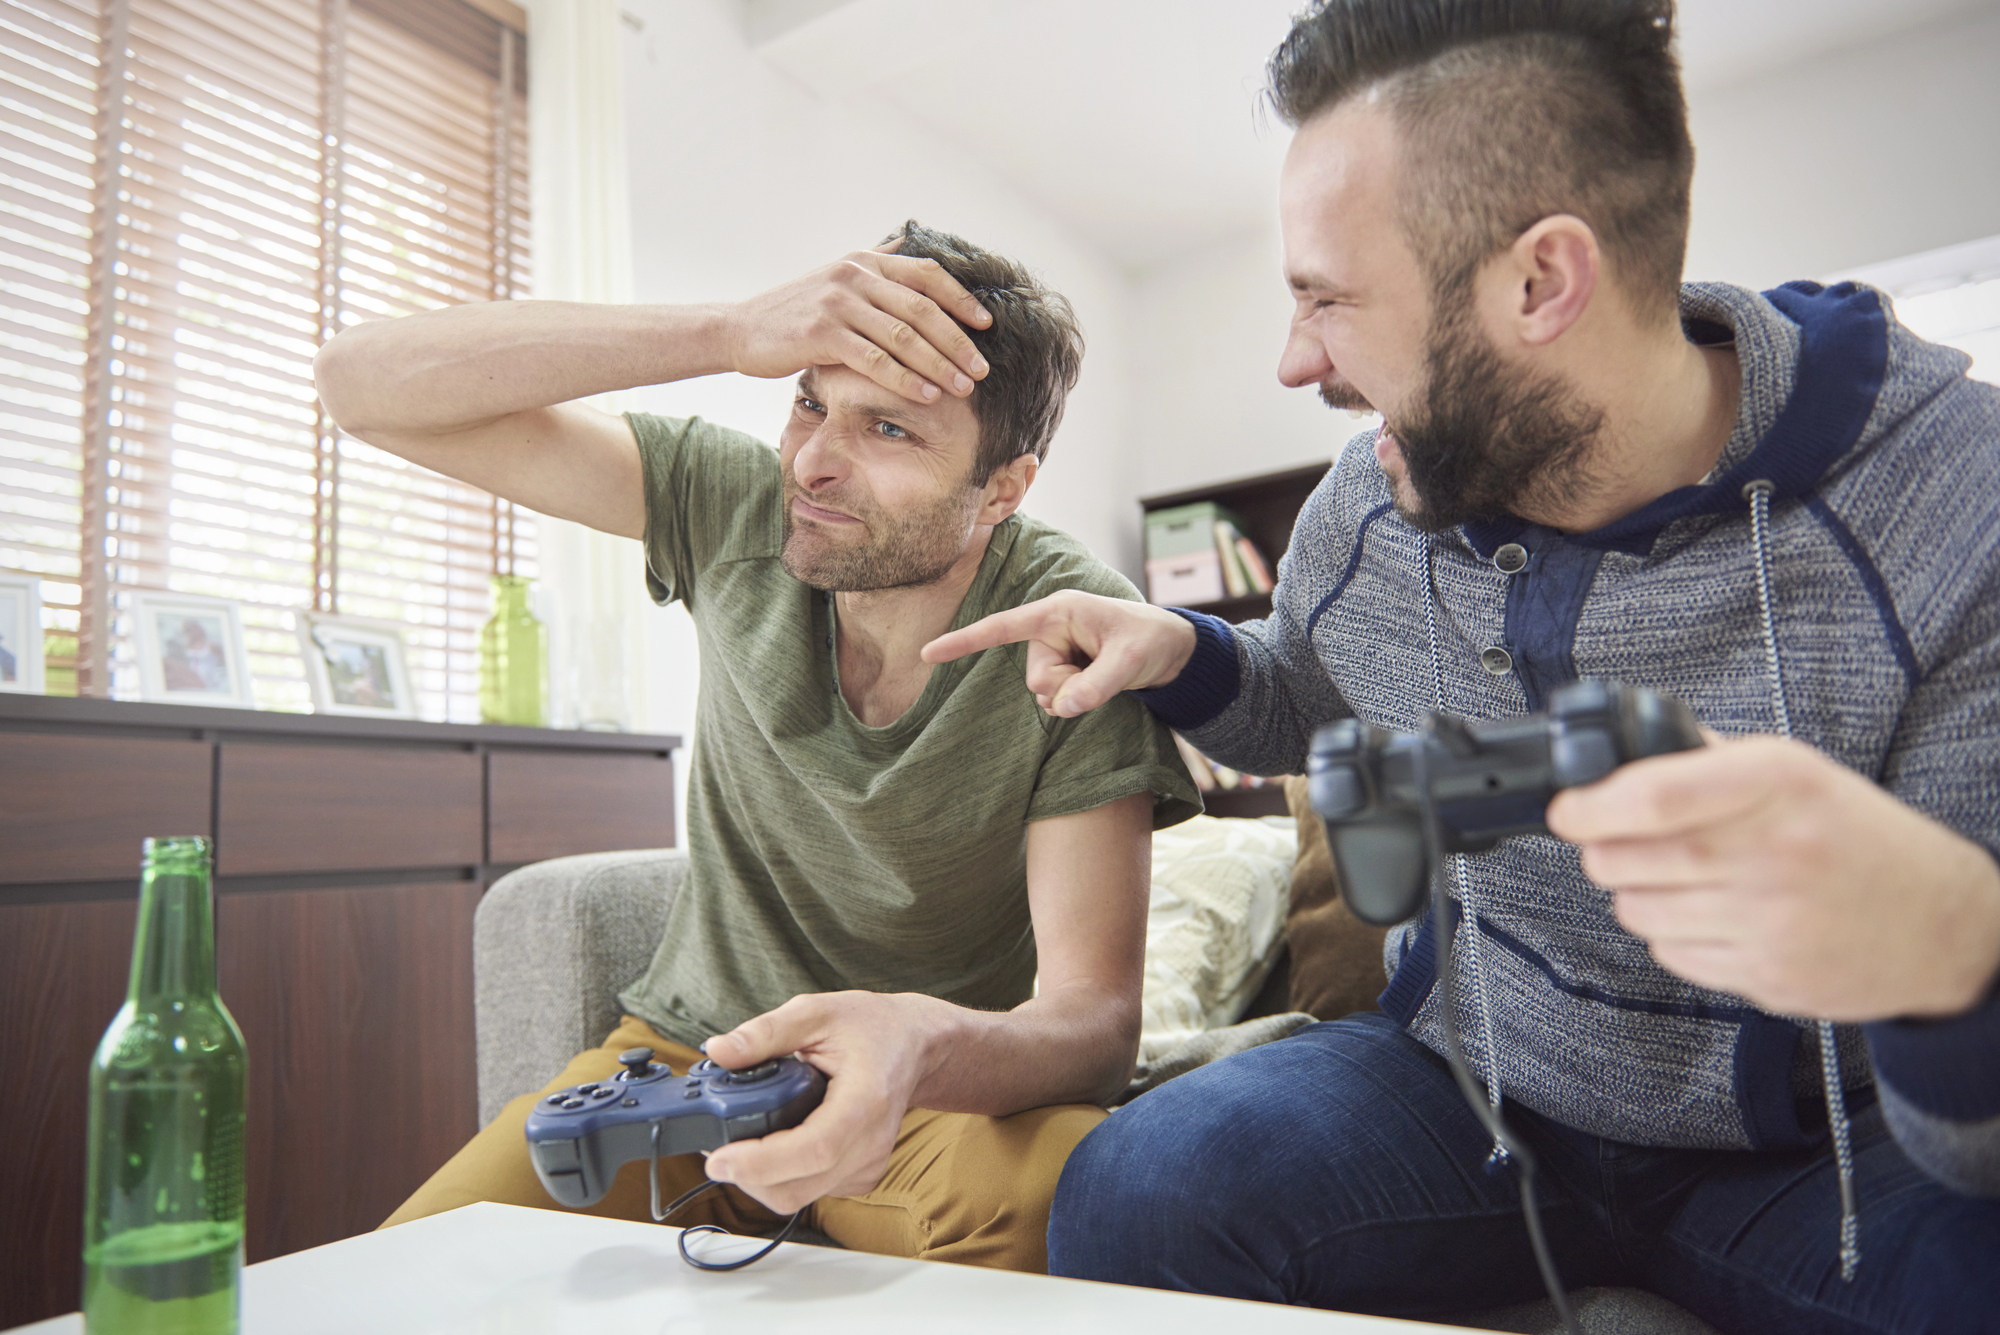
(1839,161)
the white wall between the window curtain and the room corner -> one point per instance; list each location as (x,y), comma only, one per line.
(743,179)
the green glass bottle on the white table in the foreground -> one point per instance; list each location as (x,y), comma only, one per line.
(165,1188)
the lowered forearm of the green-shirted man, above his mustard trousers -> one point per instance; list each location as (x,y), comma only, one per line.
(1075,1044)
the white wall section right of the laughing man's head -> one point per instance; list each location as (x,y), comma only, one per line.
(1851,159)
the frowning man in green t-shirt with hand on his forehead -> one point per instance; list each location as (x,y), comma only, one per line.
(909,874)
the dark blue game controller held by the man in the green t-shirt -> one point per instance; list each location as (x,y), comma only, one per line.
(585,1134)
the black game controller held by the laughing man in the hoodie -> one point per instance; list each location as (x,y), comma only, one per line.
(1483,780)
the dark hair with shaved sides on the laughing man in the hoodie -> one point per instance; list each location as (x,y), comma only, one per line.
(1513,111)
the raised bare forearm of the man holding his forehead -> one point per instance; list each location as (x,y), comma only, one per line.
(449,371)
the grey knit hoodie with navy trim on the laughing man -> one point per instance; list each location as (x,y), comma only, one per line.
(1883,549)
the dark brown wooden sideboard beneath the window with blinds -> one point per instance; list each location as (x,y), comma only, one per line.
(351,856)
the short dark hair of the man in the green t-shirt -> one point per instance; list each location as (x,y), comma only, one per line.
(1033,349)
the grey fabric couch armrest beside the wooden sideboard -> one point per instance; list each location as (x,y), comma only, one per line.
(551,948)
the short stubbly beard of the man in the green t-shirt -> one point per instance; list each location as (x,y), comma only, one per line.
(903,551)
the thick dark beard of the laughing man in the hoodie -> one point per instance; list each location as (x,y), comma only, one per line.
(1489,439)
